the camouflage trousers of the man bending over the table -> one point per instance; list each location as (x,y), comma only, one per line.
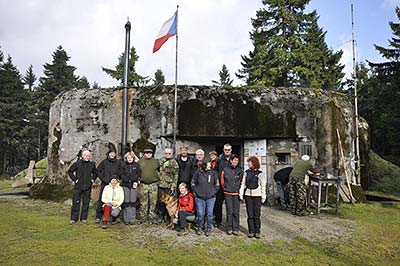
(297,196)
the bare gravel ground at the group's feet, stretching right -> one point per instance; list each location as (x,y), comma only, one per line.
(276,225)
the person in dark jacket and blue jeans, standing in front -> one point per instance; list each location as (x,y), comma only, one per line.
(205,185)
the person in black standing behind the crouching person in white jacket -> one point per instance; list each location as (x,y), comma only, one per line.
(108,169)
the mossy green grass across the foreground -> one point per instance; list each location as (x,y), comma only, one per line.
(37,233)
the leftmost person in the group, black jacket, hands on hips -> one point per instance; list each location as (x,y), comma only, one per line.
(83,173)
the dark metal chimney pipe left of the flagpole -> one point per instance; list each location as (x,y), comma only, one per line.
(125,84)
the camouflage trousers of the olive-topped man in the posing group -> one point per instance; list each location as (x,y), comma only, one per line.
(148,201)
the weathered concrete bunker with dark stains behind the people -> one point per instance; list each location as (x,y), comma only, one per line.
(278,125)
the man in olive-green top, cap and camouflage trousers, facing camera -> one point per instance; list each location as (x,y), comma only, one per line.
(149,186)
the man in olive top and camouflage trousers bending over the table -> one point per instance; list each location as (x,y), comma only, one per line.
(297,186)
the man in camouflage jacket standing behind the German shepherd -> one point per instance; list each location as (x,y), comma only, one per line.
(169,171)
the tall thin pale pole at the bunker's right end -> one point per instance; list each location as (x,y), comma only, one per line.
(357,157)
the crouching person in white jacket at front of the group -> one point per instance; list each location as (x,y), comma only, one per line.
(112,198)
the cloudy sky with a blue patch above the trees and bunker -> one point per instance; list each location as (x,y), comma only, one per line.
(211,33)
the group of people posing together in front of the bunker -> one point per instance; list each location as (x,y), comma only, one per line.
(201,184)
